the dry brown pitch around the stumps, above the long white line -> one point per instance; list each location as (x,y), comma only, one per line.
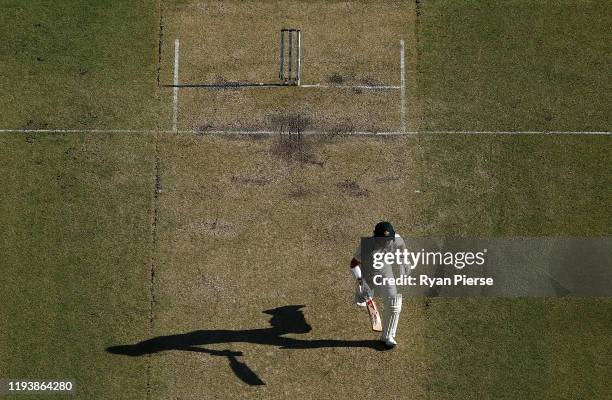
(343,44)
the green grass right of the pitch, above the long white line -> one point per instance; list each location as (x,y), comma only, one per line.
(516,65)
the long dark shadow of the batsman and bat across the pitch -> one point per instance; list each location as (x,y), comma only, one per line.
(285,320)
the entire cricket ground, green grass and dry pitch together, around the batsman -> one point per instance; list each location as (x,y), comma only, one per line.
(232,226)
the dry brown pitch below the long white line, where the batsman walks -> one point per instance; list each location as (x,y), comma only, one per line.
(244,229)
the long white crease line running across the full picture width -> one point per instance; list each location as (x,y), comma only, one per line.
(265,132)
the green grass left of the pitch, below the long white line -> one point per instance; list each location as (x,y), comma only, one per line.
(75,258)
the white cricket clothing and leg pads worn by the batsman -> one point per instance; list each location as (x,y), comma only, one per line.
(392,299)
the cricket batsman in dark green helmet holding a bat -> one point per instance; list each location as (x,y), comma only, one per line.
(384,240)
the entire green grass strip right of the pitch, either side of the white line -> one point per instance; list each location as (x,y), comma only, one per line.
(515,66)
